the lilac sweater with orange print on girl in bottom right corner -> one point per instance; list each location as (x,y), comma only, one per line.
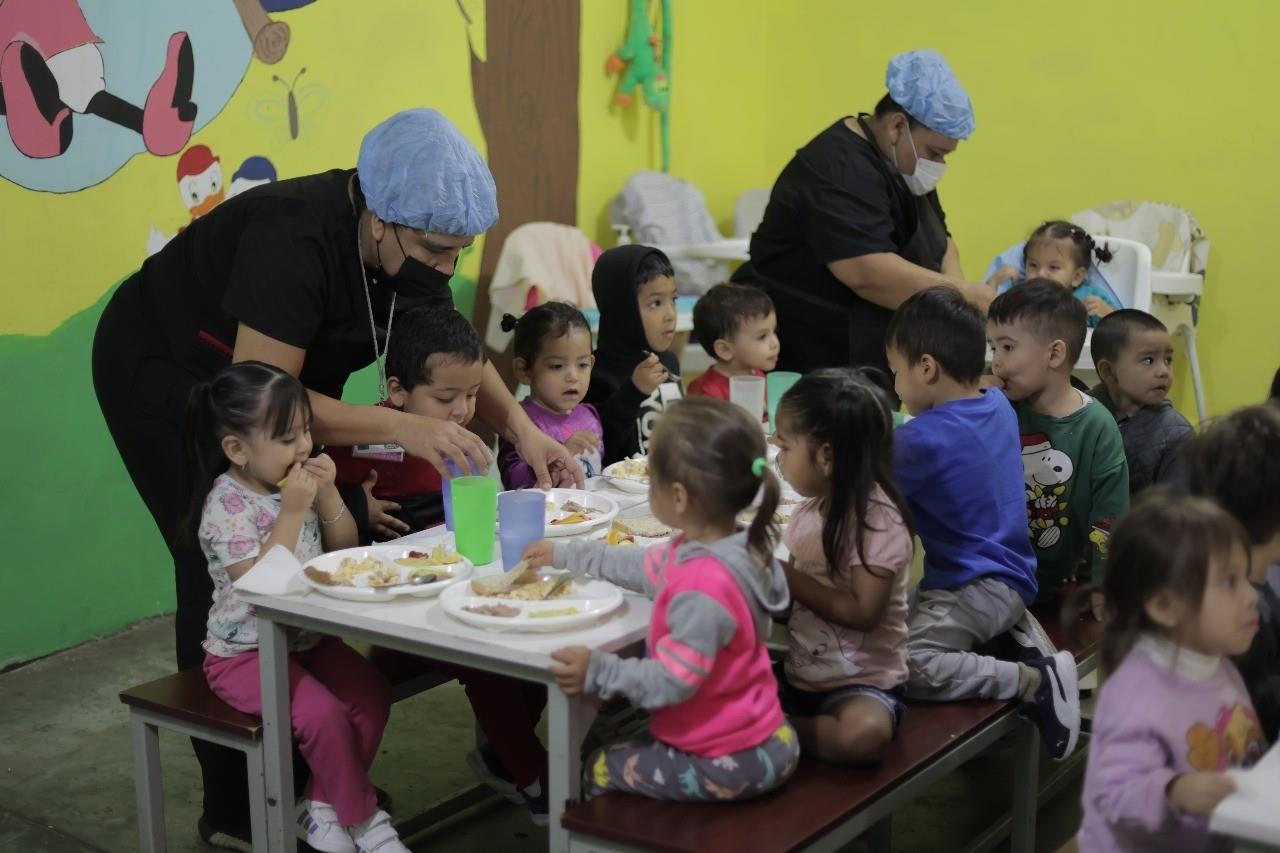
(1165,711)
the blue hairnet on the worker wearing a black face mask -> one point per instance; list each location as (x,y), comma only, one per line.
(417,170)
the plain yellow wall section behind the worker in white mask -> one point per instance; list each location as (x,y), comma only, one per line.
(1080,104)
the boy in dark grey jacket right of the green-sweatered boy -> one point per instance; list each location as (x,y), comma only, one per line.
(1135,358)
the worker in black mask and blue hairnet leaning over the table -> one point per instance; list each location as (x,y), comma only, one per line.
(307,275)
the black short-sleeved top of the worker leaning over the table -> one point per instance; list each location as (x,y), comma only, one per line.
(282,259)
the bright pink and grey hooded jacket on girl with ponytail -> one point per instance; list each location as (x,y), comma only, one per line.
(706,677)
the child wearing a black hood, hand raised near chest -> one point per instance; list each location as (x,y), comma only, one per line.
(636,376)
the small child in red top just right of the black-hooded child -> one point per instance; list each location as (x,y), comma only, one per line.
(737,326)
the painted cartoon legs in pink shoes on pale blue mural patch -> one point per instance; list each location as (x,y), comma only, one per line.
(88,85)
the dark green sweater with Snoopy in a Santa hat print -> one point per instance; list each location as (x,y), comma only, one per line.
(1077,486)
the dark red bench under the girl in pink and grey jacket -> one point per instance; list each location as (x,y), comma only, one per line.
(824,806)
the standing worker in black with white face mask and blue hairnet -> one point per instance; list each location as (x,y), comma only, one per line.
(854,225)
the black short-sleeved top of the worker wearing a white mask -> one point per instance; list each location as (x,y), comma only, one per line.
(838,198)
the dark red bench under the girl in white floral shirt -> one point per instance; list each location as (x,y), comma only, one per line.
(184,704)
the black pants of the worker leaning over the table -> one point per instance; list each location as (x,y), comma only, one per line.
(144,395)
